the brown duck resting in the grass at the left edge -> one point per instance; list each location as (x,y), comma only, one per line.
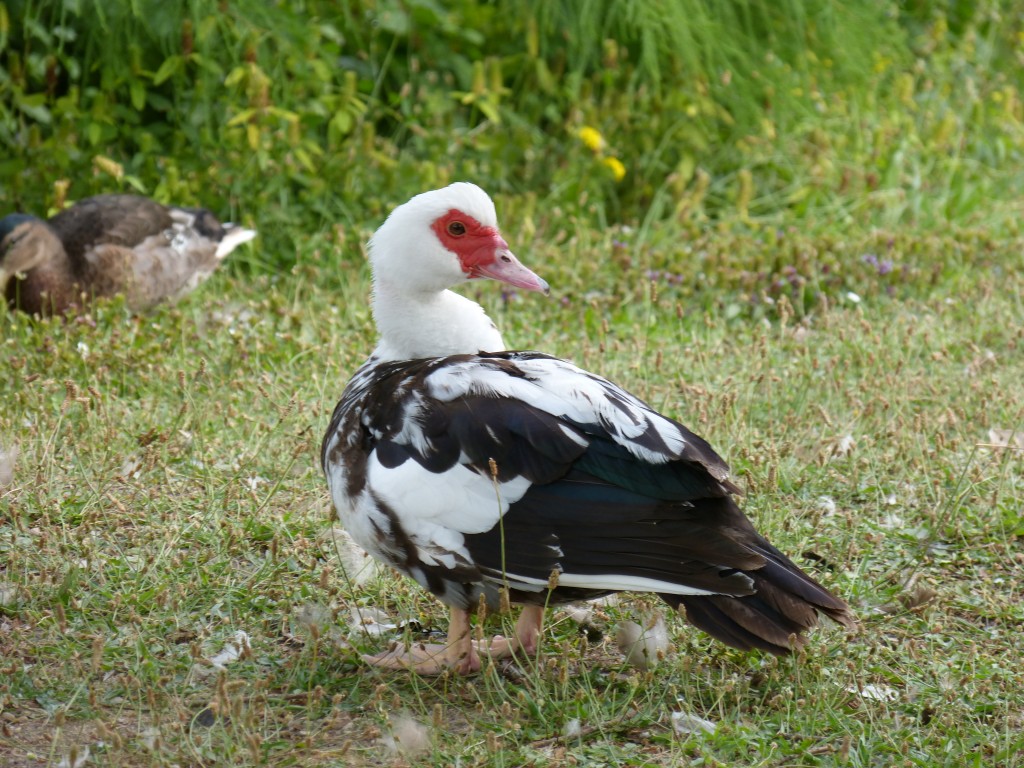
(111,245)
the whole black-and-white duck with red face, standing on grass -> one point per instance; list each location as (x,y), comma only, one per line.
(471,468)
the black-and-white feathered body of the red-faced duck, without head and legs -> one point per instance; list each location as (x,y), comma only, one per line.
(520,470)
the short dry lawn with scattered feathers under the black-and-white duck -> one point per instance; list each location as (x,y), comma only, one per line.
(166,495)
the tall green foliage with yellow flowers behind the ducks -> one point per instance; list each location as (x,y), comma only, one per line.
(303,115)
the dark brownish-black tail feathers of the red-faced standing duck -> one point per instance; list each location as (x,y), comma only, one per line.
(786,604)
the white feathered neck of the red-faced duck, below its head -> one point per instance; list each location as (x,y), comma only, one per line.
(430,324)
